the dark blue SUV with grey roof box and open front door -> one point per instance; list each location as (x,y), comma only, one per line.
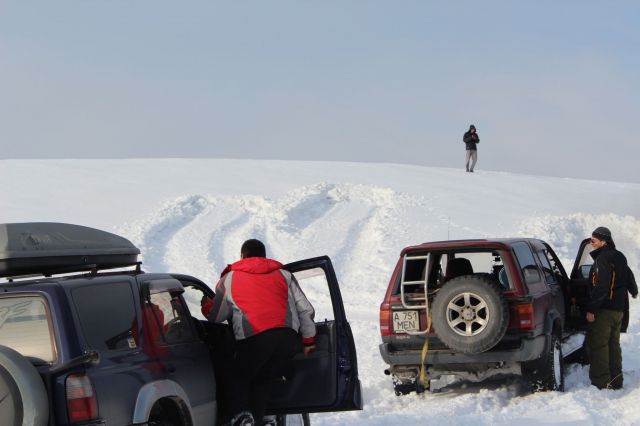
(82,344)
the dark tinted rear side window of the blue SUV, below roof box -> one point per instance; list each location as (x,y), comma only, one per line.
(107,315)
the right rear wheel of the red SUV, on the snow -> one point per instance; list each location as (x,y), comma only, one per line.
(547,373)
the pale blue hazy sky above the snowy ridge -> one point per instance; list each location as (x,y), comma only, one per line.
(552,86)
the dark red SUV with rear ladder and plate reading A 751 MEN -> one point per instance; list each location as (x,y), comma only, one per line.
(474,309)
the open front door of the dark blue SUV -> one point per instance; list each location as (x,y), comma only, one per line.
(327,379)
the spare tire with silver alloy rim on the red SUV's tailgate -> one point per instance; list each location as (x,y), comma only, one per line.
(469,314)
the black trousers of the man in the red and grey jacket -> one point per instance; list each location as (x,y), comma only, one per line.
(259,361)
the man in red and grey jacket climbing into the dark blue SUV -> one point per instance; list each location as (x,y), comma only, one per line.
(266,309)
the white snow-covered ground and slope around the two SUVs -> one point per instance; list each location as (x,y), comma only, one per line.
(191,216)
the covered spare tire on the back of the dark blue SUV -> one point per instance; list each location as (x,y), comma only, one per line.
(23,398)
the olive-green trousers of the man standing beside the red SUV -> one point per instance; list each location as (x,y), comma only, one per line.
(603,345)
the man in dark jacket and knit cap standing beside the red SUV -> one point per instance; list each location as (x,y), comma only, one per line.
(612,281)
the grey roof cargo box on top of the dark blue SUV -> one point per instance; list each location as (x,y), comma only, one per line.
(44,248)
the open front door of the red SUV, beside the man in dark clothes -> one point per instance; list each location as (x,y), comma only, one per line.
(580,285)
